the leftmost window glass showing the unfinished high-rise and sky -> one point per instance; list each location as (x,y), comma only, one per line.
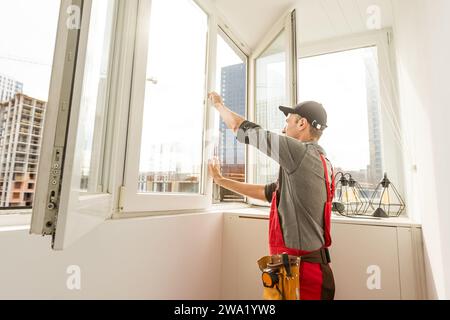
(28,34)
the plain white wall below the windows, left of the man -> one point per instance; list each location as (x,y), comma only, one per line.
(150,258)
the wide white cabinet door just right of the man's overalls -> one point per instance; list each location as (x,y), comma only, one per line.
(361,254)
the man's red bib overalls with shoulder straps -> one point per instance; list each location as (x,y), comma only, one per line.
(316,277)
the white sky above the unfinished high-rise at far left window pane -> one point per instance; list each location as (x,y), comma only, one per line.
(27,41)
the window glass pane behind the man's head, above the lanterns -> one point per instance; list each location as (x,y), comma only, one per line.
(347,83)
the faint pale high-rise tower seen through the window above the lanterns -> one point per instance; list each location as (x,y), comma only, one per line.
(375,169)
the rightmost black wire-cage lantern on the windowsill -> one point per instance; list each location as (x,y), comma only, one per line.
(386,200)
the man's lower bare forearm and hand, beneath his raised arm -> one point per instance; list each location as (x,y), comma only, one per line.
(257,192)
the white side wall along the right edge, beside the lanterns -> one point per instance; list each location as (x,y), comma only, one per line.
(421,32)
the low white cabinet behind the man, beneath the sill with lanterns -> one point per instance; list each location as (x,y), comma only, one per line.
(361,251)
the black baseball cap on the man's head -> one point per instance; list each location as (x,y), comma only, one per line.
(312,111)
